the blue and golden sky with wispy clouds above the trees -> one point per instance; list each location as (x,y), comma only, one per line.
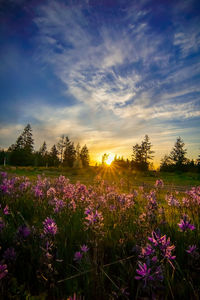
(104,73)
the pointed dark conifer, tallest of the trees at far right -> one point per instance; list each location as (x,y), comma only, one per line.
(178,152)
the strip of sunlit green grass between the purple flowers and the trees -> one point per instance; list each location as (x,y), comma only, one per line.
(88,175)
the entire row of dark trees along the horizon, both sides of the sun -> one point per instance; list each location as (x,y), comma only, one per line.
(66,154)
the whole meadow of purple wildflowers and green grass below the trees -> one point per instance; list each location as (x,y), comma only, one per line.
(101,234)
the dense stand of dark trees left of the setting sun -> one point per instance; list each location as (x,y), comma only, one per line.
(64,154)
